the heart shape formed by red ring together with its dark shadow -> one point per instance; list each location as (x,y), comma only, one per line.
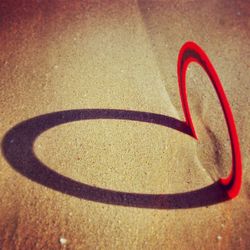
(22,158)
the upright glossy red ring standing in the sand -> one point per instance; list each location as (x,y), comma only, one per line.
(191,52)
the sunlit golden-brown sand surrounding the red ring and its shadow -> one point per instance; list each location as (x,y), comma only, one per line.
(69,55)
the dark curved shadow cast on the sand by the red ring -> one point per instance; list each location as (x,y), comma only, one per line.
(17,147)
